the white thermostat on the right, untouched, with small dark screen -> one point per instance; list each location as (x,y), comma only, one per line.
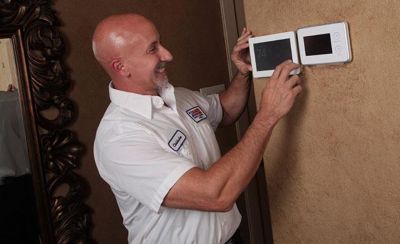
(324,44)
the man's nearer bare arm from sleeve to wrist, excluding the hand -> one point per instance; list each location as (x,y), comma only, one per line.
(218,187)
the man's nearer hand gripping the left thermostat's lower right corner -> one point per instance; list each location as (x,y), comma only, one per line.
(280,92)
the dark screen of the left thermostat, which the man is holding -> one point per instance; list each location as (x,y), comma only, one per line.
(270,54)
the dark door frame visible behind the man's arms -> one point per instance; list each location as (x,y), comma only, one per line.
(253,202)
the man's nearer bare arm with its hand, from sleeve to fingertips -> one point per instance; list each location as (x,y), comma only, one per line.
(217,188)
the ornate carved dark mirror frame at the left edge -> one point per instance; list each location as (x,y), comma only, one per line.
(53,149)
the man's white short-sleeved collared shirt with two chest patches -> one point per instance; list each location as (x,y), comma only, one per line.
(143,145)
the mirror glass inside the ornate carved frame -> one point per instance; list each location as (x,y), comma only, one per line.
(18,217)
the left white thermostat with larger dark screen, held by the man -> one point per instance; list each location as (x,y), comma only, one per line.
(267,52)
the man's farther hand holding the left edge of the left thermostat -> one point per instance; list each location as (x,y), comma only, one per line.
(240,55)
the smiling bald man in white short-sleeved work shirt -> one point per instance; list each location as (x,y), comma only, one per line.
(156,147)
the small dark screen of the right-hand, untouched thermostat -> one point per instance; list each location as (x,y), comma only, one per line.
(317,45)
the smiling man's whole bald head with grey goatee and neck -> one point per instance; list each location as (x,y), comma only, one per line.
(129,49)
